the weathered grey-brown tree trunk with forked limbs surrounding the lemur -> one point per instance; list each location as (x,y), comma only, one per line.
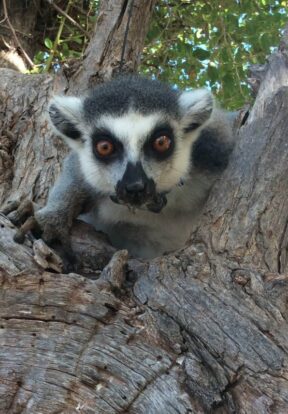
(203,330)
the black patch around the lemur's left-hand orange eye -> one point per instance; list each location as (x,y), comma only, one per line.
(101,135)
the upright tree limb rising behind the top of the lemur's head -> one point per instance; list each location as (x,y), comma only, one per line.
(103,56)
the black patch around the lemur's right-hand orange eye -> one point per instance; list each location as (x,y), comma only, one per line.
(162,130)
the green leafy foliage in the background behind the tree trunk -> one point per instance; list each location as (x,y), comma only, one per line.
(189,44)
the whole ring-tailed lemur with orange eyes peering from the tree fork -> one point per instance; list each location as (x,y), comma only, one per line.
(144,157)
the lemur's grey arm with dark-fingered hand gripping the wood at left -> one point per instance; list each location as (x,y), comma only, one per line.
(69,197)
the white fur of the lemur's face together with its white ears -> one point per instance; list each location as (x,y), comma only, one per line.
(132,129)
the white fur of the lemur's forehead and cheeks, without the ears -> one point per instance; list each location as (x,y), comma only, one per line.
(132,129)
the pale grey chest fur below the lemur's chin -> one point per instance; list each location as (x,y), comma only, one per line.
(148,234)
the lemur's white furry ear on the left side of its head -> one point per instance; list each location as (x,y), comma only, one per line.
(66,113)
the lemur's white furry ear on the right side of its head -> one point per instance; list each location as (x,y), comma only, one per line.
(196,108)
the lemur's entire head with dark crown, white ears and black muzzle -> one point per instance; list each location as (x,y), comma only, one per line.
(133,137)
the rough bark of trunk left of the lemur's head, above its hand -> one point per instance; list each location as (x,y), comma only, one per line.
(30,156)
